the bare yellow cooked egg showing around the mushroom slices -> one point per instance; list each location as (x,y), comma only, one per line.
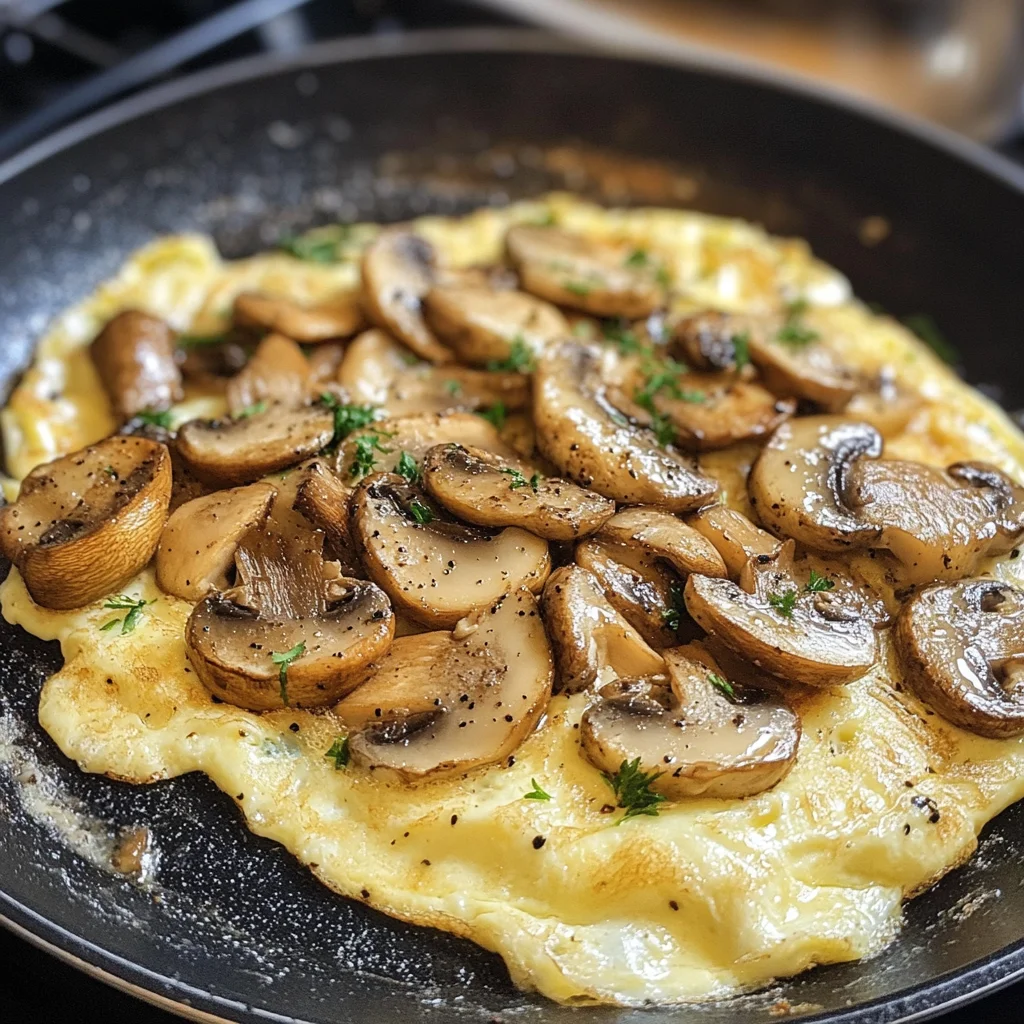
(705,900)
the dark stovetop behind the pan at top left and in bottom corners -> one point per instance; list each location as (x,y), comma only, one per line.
(45,61)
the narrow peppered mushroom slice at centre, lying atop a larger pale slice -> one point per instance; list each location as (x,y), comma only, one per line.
(484,489)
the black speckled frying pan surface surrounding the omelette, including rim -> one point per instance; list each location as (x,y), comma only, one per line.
(232,928)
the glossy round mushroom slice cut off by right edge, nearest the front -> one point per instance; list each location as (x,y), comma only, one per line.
(961,649)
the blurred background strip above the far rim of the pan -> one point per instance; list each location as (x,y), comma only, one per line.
(960,63)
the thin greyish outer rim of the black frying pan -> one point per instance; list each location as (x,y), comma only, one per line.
(941,995)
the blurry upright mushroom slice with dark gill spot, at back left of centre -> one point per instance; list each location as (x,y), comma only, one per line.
(398,273)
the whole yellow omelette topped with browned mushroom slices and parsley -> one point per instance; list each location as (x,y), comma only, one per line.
(724,561)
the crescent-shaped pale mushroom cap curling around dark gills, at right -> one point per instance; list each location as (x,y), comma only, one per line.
(800,484)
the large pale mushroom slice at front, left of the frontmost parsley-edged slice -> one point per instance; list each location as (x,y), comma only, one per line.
(444,704)
